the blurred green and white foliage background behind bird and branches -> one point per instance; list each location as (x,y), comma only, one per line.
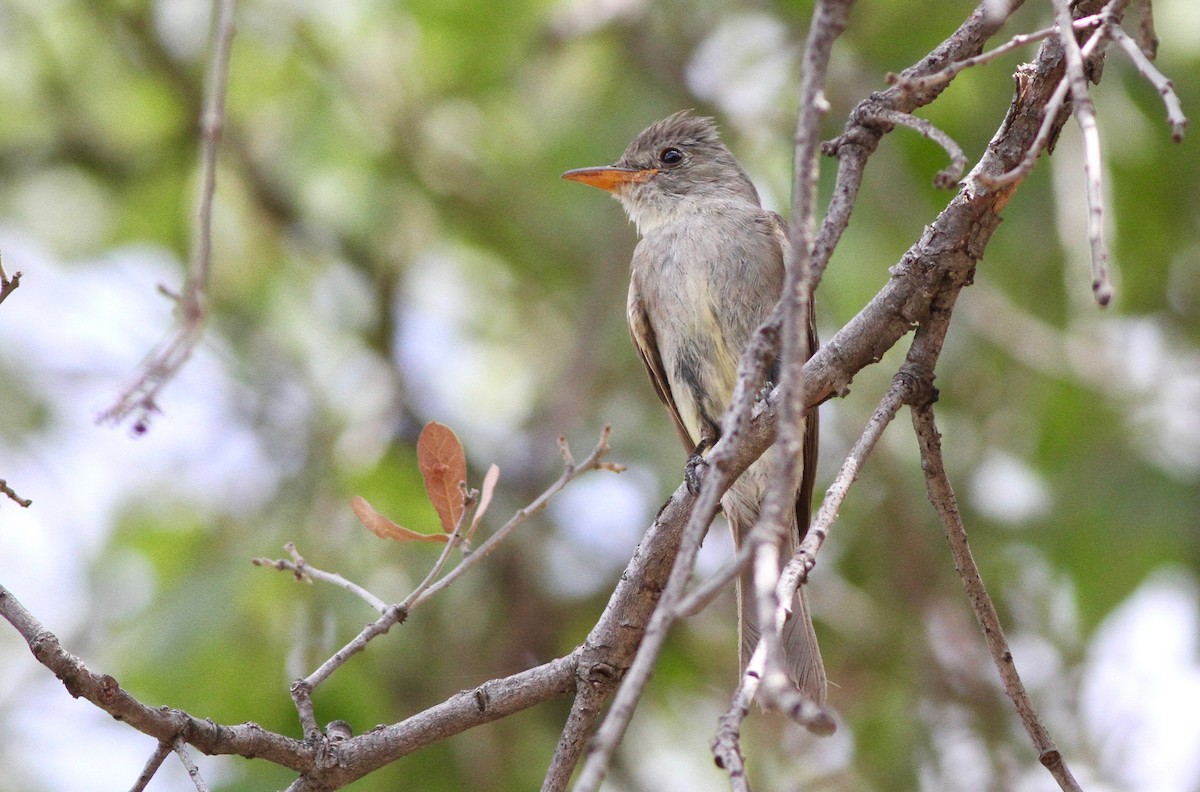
(393,245)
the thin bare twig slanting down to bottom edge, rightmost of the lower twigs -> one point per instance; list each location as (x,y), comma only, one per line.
(941,495)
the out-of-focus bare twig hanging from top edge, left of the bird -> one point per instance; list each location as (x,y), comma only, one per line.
(165,363)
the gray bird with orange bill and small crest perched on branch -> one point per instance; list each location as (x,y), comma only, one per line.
(707,272)
